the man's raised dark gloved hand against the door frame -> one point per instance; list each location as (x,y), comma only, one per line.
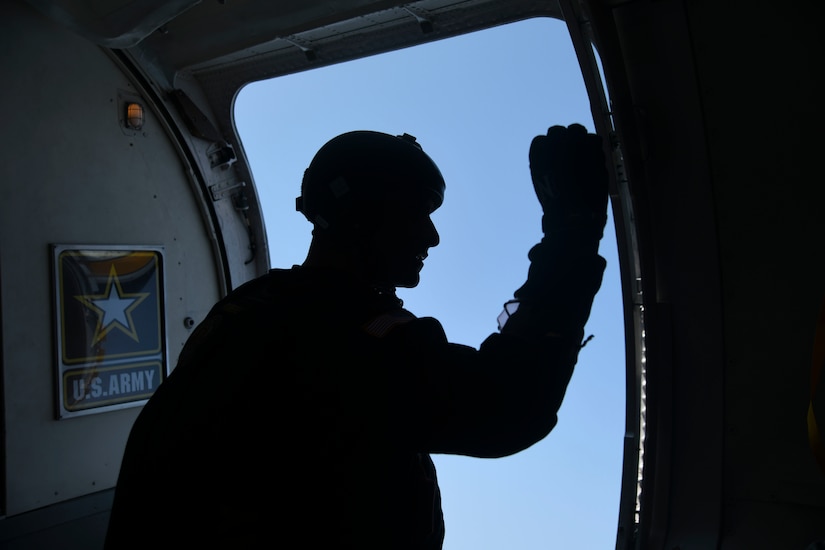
(570,178)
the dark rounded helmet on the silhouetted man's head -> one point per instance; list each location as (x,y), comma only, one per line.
(353,174)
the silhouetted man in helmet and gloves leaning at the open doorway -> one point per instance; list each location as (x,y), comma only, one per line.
(304,408)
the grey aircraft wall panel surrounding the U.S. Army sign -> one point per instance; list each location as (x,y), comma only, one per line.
(75,175)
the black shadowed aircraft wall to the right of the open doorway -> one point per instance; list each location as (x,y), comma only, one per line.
(717,108)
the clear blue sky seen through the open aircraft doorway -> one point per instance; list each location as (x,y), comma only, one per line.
(474,103)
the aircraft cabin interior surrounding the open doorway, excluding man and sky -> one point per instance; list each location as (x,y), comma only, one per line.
(118,231)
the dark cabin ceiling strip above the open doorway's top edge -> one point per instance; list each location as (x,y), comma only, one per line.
(246,40)
